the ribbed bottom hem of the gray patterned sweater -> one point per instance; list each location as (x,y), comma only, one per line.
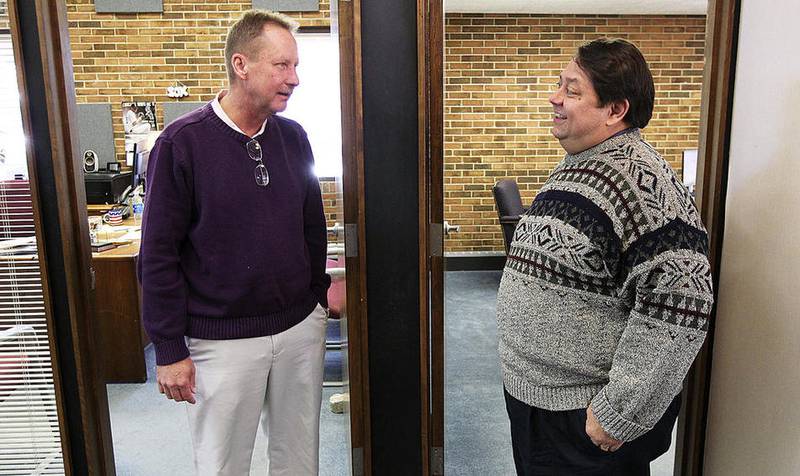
(550,398)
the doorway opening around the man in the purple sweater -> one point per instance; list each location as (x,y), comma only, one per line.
(115,65)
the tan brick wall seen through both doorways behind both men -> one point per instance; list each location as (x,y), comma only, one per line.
(499,71)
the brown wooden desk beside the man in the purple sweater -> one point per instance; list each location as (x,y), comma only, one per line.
(121,338)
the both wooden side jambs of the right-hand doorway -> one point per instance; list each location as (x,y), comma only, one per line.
(722,24)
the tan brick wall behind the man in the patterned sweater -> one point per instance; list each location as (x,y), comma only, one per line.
(499,72)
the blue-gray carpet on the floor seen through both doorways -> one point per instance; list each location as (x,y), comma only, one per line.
(150,433)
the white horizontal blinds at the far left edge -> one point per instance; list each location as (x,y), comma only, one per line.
(30,441)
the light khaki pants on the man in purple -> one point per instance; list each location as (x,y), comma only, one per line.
(276,380)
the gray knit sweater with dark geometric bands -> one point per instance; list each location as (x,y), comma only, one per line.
(606,293)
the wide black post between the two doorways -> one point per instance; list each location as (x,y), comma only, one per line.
(391,148)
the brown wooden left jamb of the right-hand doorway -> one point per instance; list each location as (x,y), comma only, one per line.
(430,78)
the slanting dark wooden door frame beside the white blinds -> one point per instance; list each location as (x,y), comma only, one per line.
(41,44)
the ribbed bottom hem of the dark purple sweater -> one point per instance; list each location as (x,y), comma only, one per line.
(225,328)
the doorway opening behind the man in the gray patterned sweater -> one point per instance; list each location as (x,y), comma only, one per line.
(499,70)
